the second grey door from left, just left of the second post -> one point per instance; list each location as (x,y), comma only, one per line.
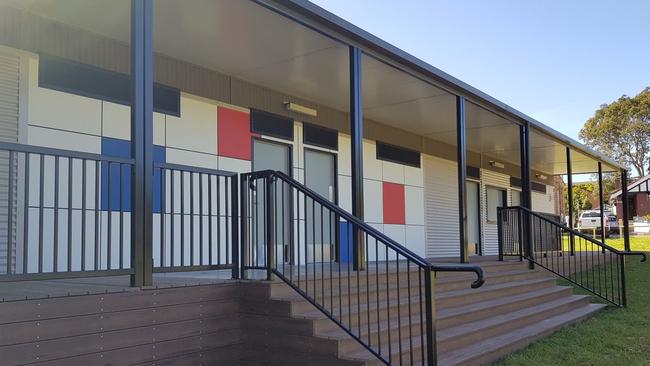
(320,176)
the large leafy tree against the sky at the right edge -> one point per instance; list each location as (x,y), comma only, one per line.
(622,130)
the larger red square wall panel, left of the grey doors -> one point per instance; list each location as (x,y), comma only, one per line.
(233,134)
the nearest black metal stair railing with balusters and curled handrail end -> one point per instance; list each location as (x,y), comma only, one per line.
(424,270)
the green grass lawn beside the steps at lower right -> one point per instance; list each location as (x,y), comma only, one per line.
(613,337)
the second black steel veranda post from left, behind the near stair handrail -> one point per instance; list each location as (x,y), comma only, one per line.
(356,132)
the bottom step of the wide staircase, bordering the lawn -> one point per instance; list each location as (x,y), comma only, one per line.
(493,348)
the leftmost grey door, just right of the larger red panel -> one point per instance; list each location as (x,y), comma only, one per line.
(276,156)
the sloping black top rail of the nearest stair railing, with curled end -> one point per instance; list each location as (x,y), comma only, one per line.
(408,254)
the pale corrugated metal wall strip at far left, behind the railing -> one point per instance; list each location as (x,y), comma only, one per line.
(9,92)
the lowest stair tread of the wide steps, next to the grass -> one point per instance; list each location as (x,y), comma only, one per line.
(524,334)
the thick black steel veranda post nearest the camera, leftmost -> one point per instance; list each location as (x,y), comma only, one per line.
(142,142)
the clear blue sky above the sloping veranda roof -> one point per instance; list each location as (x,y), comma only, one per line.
(555,60)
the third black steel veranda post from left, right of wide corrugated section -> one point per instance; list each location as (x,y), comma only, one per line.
(461,145)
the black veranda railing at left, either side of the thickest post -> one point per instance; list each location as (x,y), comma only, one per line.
(66,214)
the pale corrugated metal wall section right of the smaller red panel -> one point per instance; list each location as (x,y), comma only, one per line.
(441,207)
